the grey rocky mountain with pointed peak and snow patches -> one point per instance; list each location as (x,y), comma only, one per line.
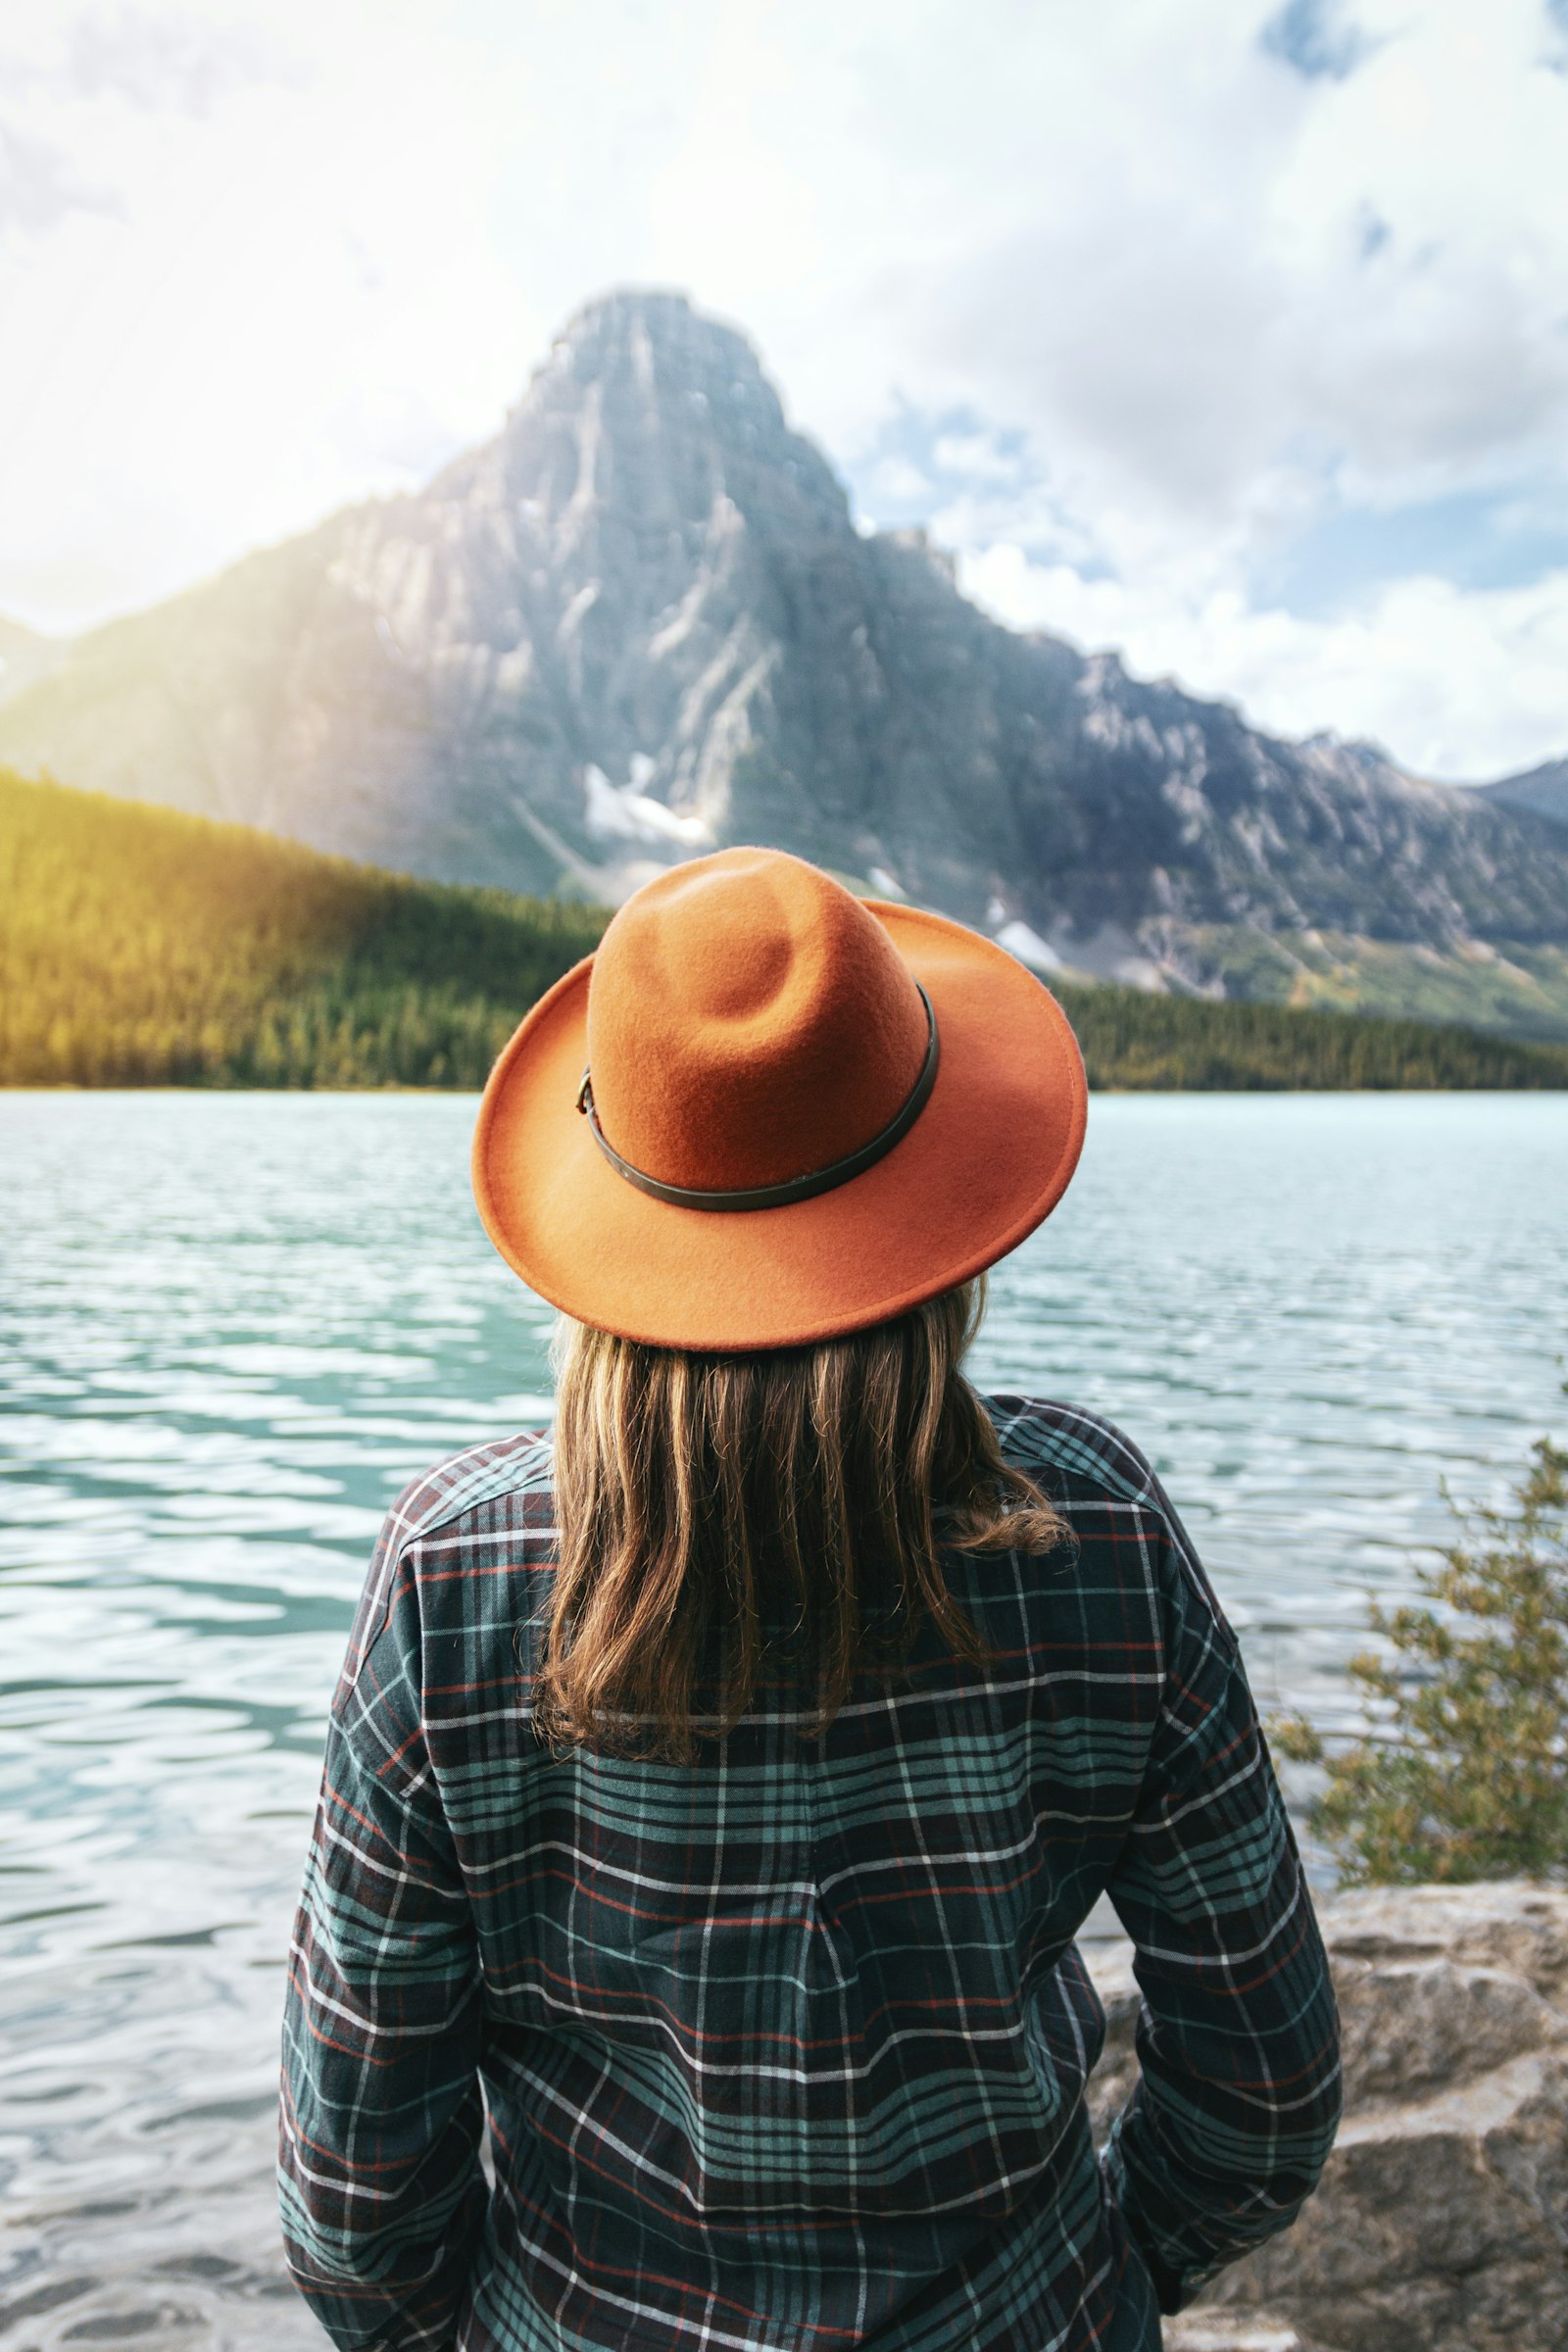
(641,624)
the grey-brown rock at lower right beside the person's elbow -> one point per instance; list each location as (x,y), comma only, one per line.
(1442,2221)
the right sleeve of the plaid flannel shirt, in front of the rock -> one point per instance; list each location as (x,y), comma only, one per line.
(1240,2040)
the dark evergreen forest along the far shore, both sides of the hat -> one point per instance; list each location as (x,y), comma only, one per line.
(149,949)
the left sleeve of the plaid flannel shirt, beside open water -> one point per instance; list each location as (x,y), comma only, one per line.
(382,2113)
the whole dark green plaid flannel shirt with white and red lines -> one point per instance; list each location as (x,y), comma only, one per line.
(786,2050)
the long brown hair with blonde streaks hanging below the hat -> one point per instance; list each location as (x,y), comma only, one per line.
(699,1492)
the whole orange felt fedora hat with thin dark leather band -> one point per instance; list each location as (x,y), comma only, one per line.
(770,1114)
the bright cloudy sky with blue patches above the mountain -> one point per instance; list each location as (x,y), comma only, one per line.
(1224,333)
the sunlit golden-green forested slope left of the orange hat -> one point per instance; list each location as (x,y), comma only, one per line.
(147,949)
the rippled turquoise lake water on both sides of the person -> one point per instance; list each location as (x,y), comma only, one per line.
(236,1325)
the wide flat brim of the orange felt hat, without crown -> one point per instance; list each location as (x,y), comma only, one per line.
(984,1165)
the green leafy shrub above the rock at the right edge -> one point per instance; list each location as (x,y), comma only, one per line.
(1463,1770)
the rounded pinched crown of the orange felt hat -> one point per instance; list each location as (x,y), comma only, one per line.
(749,1022)
